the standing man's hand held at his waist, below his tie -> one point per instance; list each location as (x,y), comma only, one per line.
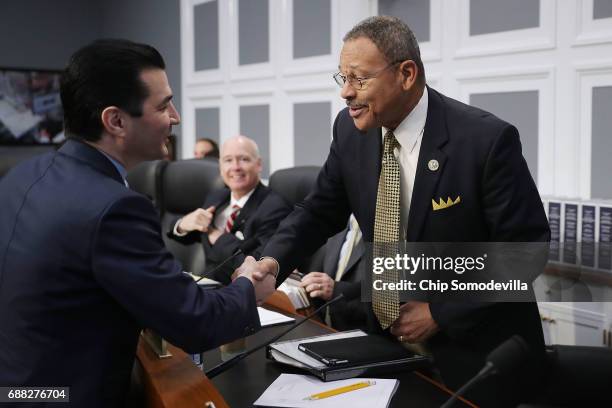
(415,323)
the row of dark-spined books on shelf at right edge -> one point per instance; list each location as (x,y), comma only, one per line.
(581,232)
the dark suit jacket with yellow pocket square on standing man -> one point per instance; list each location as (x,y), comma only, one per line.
(479,159)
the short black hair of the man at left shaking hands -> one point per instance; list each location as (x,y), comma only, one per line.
(102,74)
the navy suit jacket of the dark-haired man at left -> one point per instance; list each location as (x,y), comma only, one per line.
(83,269)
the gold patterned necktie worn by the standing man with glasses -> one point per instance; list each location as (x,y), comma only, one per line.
(387,231)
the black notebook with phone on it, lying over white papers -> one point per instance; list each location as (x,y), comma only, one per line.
(355,350)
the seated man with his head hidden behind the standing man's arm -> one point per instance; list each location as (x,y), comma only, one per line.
(341,262)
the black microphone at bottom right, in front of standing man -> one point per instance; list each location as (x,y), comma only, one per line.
(506,358)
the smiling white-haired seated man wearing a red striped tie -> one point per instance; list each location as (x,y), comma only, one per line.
(244,210)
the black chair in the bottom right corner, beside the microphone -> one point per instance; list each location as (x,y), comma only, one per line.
(578,376)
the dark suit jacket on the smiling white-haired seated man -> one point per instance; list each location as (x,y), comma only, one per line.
(257,220)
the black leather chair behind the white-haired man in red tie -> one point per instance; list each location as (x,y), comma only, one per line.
(184,187)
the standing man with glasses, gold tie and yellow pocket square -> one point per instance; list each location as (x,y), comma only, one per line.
(400,147)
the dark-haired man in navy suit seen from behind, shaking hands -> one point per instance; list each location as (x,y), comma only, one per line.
(83,267)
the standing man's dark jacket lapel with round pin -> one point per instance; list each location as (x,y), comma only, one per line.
(426,180)
